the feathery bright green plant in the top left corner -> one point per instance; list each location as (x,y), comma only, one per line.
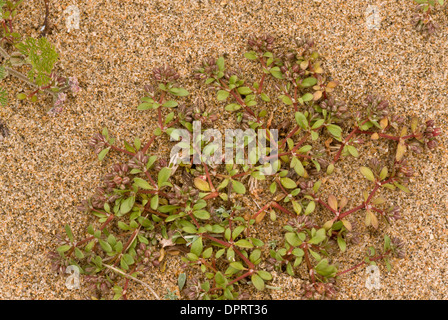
(38,57)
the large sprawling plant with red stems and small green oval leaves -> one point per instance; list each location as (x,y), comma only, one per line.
(148,207)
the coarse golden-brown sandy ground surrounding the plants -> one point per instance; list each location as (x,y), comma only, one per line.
(46,169)
